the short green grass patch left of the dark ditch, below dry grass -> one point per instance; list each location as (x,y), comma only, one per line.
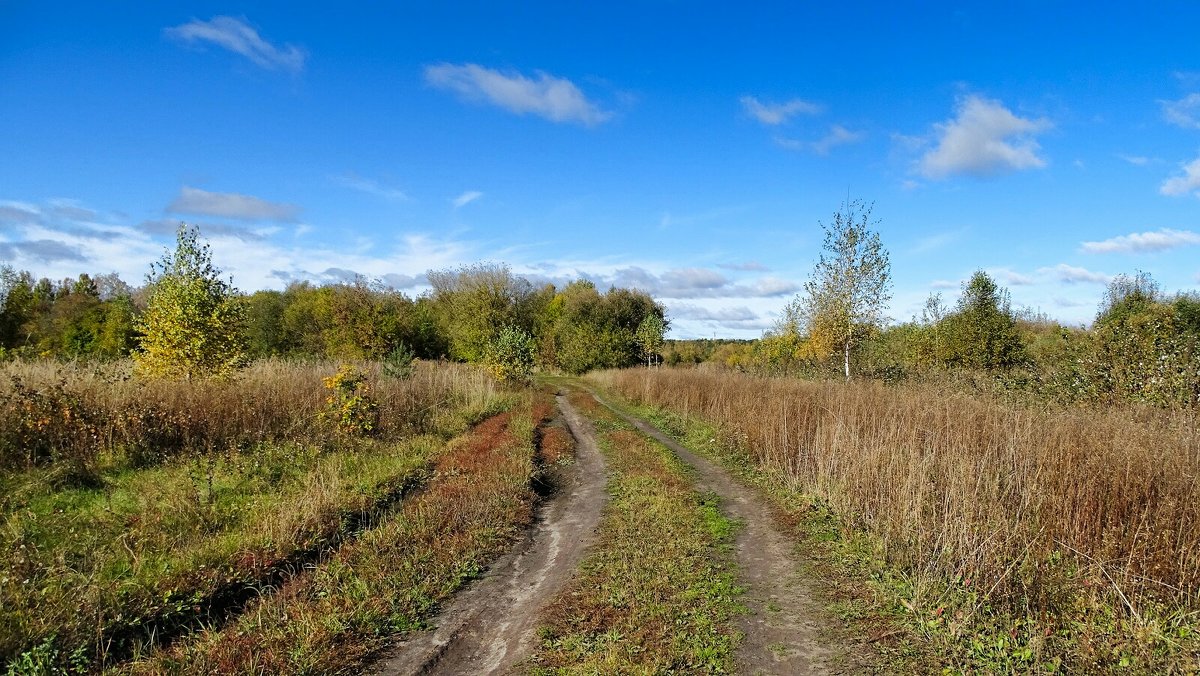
(154,547)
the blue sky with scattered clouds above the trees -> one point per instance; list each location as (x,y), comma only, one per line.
(686,148)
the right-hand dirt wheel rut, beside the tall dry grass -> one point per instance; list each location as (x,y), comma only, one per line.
(787,630)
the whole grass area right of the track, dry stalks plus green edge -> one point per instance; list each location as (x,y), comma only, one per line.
(1012,539)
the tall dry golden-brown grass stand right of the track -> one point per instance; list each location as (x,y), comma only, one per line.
(1029,510)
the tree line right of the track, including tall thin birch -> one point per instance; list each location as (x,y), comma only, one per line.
(1144,345)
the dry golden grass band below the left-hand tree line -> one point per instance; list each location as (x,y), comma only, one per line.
(85,415)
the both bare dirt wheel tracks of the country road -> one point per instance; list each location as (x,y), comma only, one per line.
(490,629)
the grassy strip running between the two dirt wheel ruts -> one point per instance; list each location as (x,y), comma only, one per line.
(658,594)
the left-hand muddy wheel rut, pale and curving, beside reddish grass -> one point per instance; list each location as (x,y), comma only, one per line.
(489,629)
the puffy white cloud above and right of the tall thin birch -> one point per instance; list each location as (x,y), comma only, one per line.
(985,139)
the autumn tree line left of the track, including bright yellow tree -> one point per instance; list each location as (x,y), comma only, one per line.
(188,319)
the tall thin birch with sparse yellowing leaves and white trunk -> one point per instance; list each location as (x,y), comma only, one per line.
(851,284)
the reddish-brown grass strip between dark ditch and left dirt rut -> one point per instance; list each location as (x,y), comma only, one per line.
(393,578)
